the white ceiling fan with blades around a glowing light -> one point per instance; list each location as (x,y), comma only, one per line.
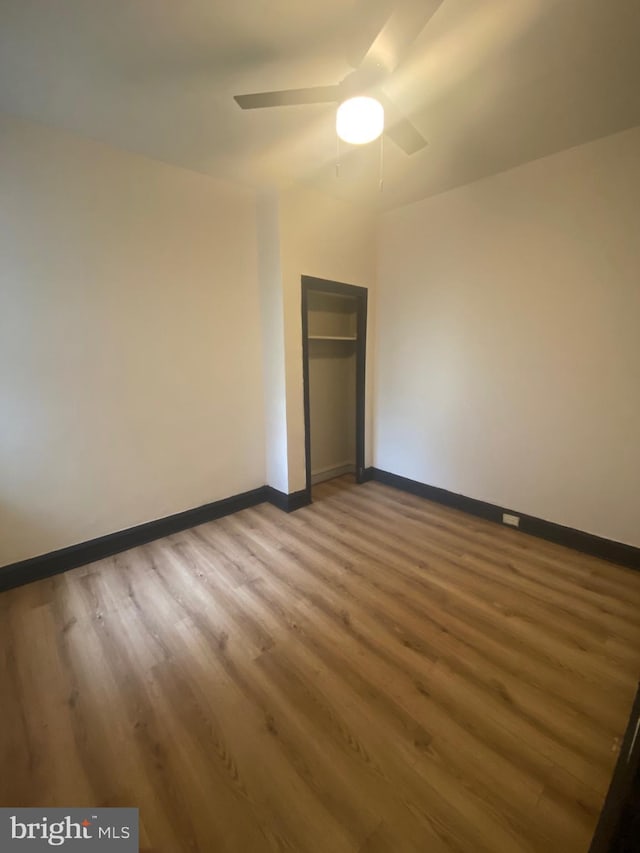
(386,35)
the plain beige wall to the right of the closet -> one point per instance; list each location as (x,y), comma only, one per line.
(508,348)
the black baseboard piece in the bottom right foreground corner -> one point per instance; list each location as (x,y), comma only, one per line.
(617,828)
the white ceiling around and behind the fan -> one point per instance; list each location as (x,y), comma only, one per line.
(490,83)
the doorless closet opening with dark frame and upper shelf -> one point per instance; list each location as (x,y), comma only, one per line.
(334,327)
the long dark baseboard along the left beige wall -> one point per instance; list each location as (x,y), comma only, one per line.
(56,562)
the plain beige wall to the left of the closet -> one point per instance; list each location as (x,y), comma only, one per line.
(130,364)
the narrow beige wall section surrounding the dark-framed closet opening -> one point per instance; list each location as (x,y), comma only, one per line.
(328,238)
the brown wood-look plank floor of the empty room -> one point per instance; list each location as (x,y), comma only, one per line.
(371,673)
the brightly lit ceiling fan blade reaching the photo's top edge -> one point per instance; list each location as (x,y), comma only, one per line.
(401,28)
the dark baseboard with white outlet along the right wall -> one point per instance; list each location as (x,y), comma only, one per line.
(607,549)
